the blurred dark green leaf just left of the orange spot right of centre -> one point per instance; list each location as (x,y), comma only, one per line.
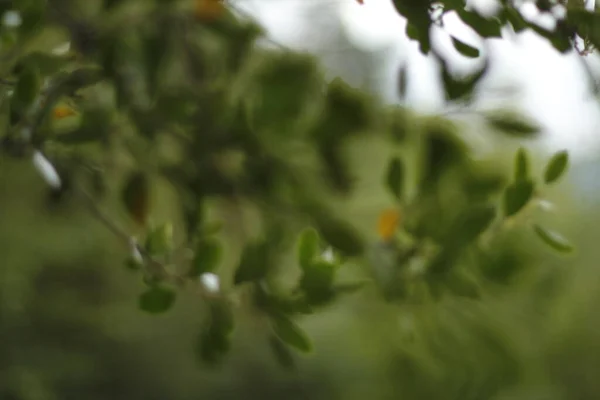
(340,235)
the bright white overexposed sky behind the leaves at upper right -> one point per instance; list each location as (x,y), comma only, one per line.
(552,87)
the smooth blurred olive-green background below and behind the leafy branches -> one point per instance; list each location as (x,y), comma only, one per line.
(70,327)
